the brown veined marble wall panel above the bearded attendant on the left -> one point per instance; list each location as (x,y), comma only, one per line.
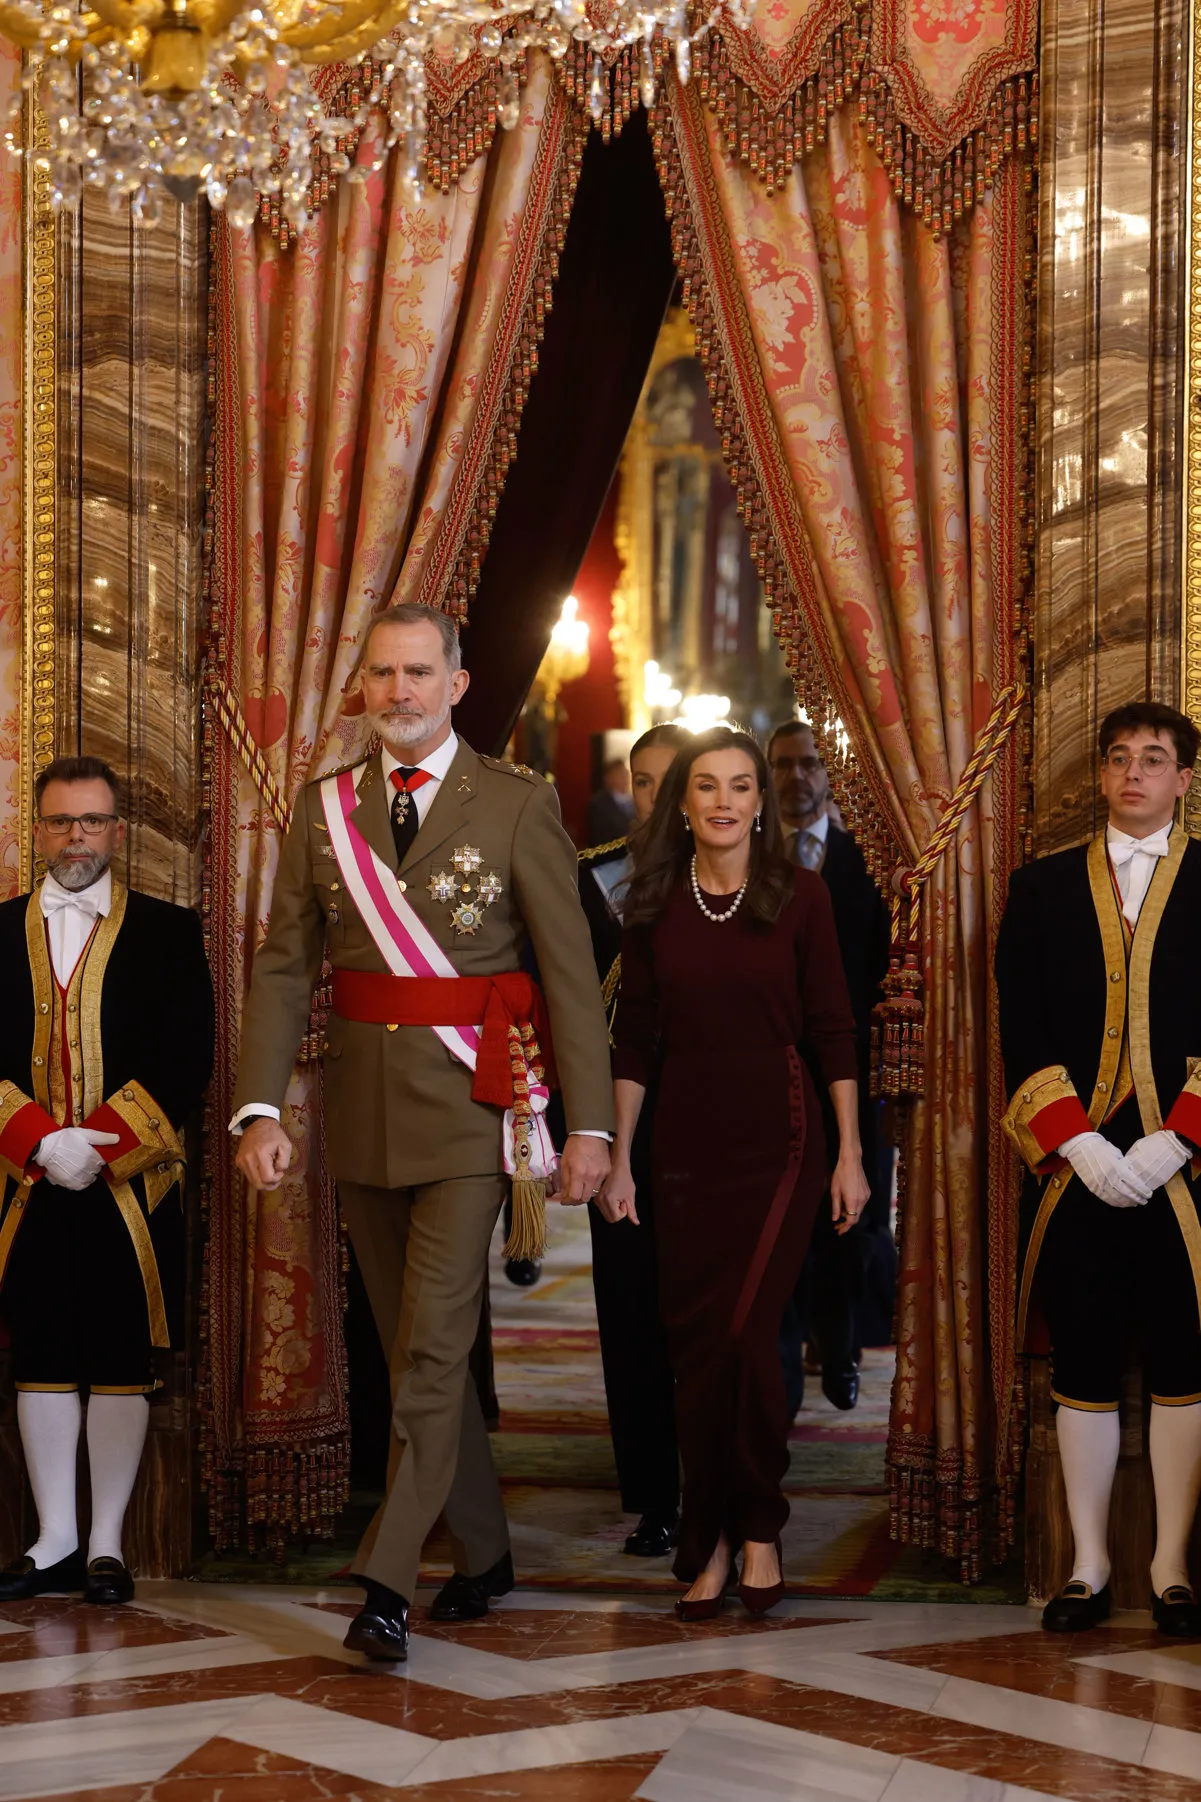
(131,522)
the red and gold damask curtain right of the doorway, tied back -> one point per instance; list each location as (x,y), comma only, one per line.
(868,378)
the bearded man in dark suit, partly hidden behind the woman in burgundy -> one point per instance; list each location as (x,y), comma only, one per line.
(832,1282)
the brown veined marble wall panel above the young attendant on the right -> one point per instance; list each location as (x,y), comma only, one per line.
(1110,387)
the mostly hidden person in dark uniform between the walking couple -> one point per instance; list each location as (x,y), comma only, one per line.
(639,1385)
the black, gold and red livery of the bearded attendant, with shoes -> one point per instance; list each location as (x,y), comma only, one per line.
(93,1280)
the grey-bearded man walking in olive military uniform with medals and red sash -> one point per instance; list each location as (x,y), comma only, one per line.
(428,873)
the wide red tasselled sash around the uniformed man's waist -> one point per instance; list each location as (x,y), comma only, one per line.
(490,1003)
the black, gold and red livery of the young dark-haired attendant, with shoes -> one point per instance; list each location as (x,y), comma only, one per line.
(1101,1030)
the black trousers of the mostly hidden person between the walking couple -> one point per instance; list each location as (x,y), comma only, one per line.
(634,1349)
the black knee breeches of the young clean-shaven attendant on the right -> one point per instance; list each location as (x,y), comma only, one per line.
(1112,1275)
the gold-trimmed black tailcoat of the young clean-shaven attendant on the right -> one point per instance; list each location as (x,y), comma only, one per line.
(1101,1026)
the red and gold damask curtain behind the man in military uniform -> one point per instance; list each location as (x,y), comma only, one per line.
(369,387)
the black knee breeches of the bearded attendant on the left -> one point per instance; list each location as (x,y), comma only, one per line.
(75,1300)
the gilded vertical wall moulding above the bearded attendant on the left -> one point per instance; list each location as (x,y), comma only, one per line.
(39,471)
